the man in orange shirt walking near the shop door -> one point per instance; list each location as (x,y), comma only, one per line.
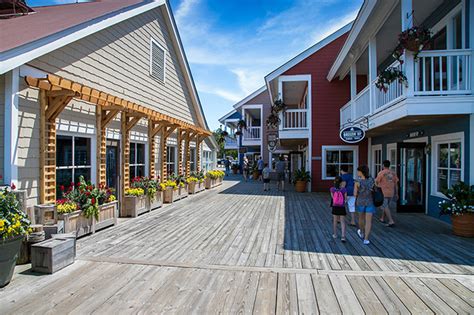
(387,180)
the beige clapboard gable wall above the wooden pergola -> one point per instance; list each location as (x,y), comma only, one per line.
(117,61)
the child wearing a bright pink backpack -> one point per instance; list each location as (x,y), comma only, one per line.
(338,200)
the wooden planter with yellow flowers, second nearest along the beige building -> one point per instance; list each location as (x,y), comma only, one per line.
(135,199)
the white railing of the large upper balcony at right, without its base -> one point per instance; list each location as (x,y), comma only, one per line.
(436,73)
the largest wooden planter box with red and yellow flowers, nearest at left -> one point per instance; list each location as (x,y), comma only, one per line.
(86,208)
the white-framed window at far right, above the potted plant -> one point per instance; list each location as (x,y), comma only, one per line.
(447,161)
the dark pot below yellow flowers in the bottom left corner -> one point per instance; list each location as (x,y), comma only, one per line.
(9,250)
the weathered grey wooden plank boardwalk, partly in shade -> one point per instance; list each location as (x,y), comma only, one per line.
(237,249)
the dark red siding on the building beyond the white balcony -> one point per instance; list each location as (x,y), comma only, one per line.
(327,98)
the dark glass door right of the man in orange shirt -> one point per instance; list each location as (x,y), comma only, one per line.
(411,173)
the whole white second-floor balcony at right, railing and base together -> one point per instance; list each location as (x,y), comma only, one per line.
(439,82)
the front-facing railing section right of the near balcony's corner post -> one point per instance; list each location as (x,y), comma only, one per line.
(443,72)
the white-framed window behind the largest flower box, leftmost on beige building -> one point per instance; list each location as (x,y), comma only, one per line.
(73,159)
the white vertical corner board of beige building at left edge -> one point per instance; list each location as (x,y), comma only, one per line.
(10,150)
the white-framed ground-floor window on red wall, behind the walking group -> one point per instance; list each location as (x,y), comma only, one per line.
(333,157)
